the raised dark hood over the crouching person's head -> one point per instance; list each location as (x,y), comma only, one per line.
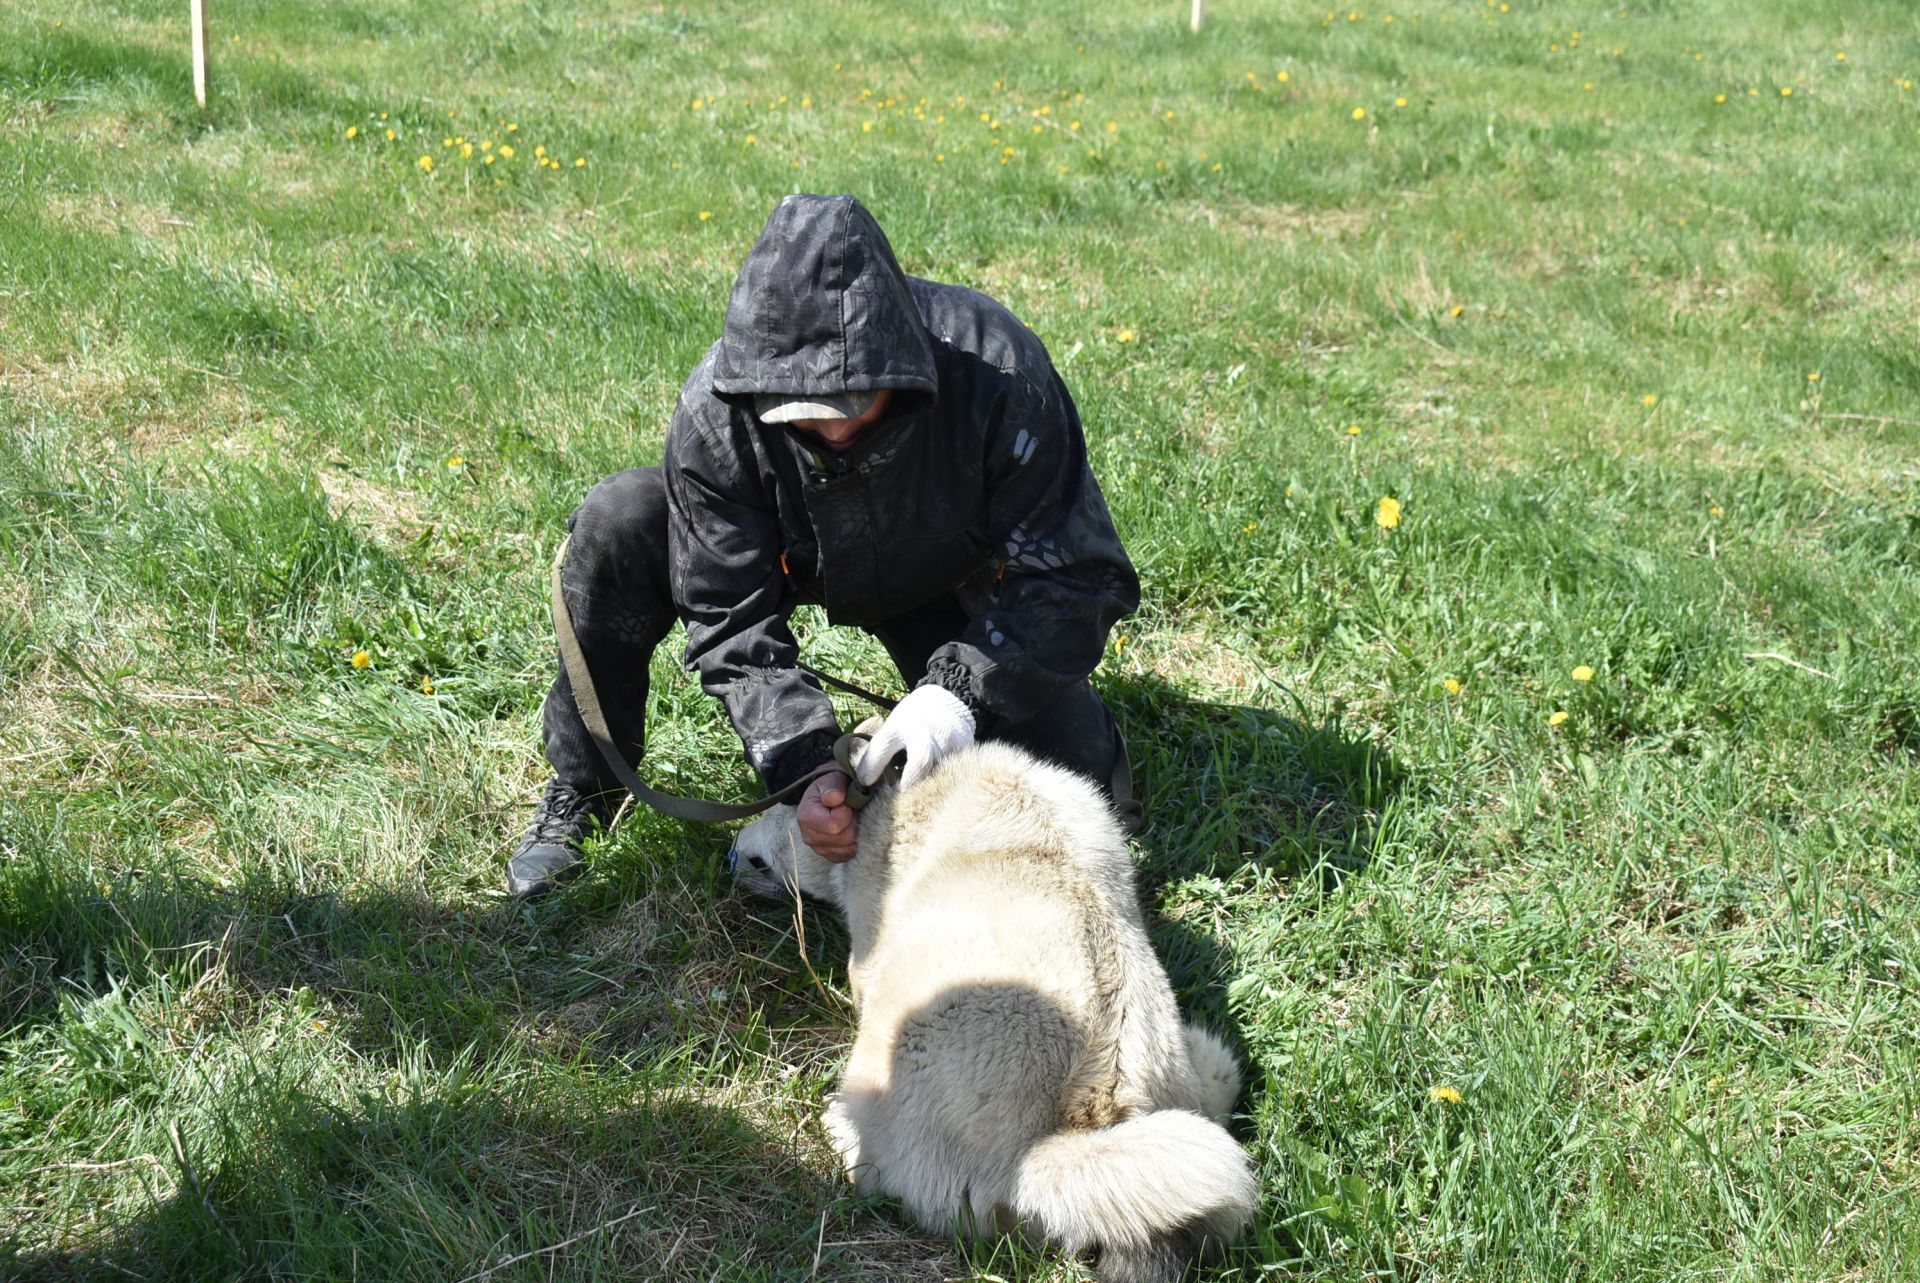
(823,306)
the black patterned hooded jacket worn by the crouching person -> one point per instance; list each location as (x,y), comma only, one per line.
(976,485)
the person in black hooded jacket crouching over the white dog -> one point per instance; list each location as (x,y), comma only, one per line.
(896,450)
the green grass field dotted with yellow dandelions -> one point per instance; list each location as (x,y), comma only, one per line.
(1547,844)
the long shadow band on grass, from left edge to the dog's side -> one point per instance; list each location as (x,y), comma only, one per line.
(610,973)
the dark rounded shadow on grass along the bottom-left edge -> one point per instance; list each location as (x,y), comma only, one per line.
(458,1178)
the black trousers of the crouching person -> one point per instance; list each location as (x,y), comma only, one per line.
(617,591)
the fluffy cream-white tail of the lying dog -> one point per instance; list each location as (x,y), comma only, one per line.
(1147,1194)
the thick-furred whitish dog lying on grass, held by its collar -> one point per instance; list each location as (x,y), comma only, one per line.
(1020,1063)
